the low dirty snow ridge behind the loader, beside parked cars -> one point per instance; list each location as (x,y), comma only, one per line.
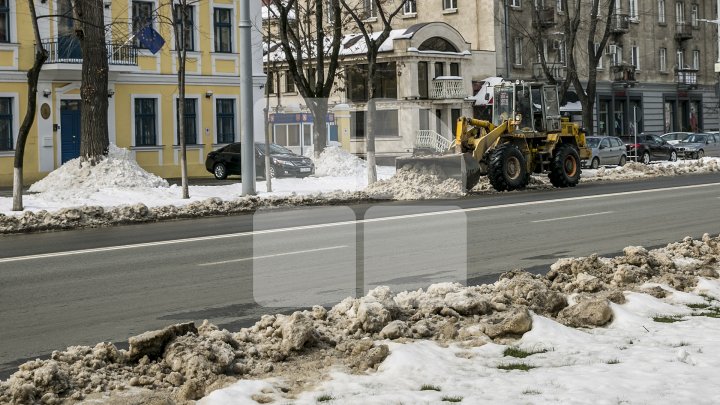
(634,170)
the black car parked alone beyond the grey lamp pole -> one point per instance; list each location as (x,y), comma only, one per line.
(226,161)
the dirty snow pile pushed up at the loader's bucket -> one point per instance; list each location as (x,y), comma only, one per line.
(418,182)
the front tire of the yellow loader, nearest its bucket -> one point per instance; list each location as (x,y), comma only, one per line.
(507,170)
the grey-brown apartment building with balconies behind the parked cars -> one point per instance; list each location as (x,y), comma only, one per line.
(657,70)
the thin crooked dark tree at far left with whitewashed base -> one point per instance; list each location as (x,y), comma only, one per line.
(33,75)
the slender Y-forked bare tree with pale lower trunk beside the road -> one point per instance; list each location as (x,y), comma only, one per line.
(386,10)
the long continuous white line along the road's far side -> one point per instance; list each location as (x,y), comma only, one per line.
(353,222)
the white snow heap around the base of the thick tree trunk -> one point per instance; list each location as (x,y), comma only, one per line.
(117,170)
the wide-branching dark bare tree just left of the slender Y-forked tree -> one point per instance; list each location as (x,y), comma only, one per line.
(311,55)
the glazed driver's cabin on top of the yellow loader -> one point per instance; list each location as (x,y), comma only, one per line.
(534,107)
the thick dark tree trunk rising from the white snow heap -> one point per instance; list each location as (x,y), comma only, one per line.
(94,141)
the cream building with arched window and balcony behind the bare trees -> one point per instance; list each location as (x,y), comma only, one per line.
(426,72)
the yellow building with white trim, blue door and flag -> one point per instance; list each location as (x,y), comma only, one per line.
(142,85)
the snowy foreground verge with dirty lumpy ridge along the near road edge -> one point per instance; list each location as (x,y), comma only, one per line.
(601,330)
